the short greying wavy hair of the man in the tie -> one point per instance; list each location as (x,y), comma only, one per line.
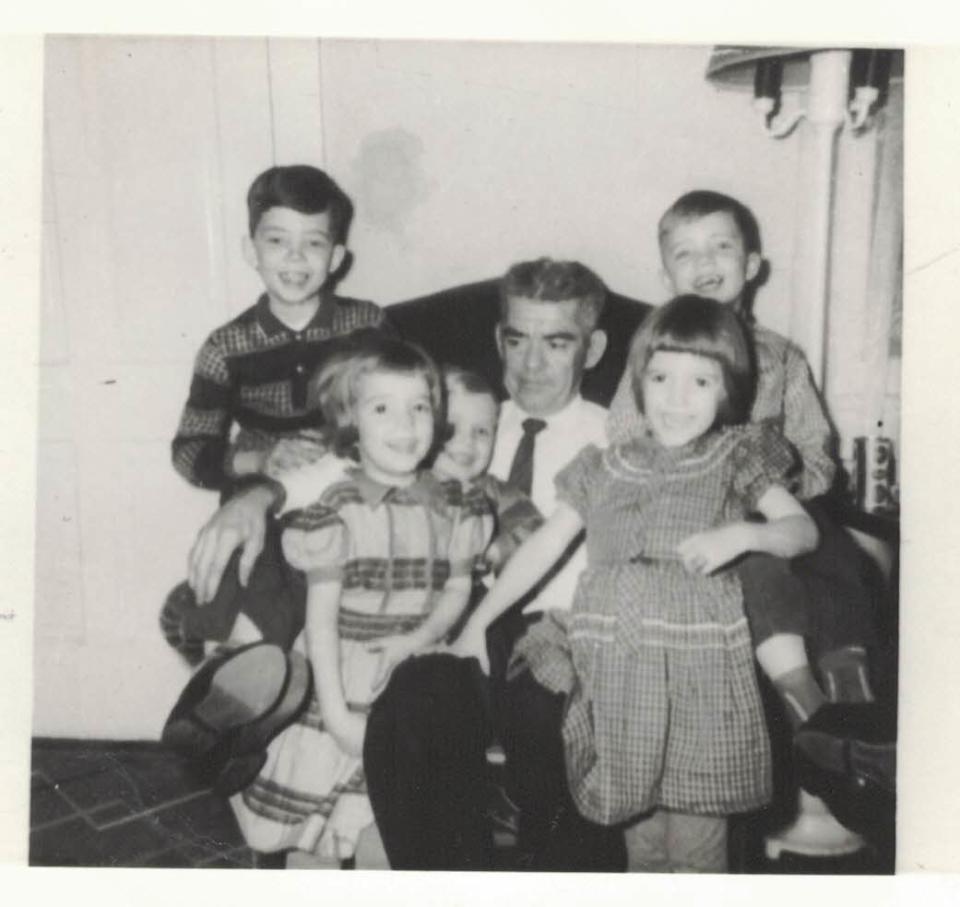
(547,280)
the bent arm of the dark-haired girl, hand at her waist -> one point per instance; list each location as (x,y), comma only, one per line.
(788,532)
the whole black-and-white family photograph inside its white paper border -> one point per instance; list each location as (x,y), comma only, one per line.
(468,455)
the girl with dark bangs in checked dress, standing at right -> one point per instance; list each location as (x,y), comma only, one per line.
(663,717)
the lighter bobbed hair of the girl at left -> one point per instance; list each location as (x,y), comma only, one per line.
(334,388)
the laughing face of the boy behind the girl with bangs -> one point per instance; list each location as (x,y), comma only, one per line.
(706,256)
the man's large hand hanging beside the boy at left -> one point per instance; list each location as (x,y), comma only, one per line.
(239,523)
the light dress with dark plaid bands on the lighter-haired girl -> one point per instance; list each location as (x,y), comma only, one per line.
(393,550)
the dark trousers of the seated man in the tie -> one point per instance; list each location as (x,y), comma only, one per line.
(424,760)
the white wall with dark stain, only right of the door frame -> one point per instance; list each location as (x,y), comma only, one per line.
(463,158)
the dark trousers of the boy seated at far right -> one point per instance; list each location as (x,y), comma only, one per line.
(826,596)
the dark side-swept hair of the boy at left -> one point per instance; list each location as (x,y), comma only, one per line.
(302,188)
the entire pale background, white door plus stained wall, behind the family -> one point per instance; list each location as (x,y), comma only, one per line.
(461,158)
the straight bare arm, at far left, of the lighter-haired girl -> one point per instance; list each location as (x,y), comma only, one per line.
(323,650)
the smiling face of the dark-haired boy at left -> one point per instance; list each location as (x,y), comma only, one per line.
(294,254)
